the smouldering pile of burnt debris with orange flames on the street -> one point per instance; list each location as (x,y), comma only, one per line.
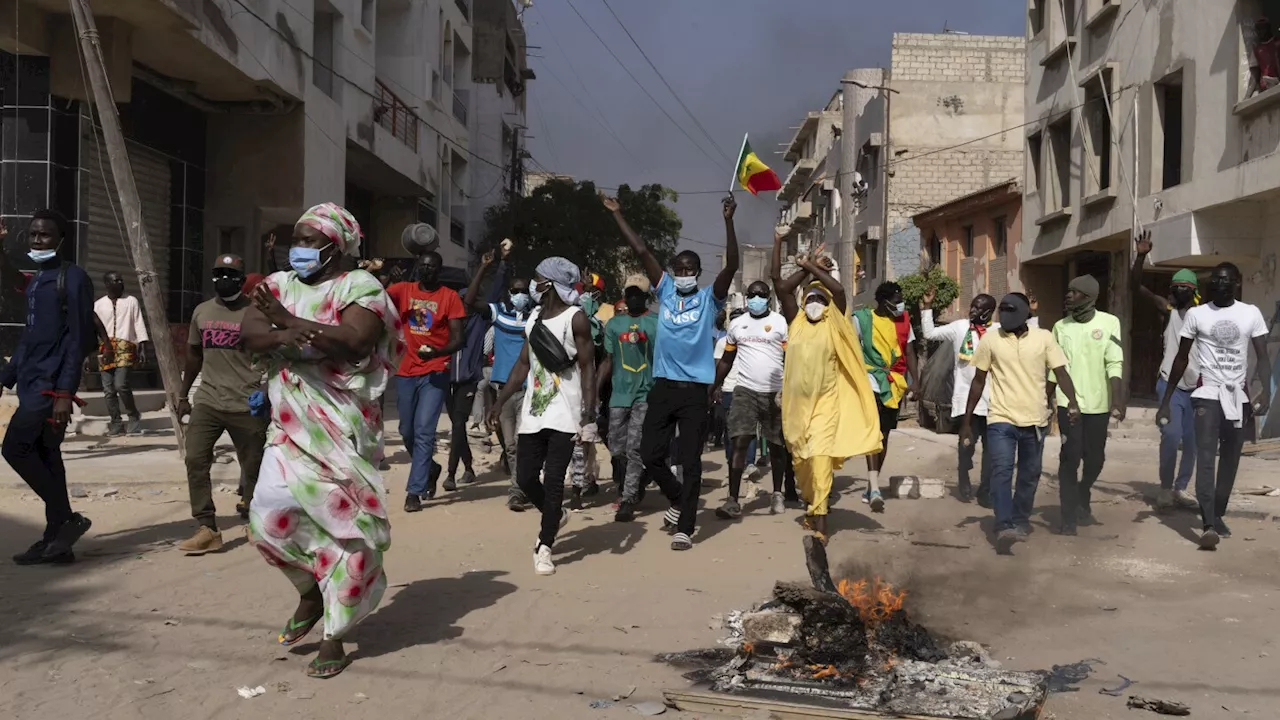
(853,645)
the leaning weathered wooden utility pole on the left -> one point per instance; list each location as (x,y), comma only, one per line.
(153,302)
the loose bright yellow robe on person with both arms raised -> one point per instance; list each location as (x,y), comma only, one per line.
(829,408)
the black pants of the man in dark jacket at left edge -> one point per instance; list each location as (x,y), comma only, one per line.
(34,449)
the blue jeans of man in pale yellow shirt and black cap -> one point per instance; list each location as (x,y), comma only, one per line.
(1004,444)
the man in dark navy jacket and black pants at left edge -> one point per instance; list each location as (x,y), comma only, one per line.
(47,372)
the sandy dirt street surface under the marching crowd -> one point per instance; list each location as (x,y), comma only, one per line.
(468,631)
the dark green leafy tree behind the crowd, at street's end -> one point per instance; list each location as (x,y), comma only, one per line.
(566,218)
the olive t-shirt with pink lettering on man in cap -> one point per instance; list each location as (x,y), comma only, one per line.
(227,377)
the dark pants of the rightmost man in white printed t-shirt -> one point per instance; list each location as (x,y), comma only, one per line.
(1215,434)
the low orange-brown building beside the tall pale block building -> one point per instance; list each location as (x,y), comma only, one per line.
(976,239)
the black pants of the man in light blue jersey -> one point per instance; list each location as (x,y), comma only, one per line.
(676,405)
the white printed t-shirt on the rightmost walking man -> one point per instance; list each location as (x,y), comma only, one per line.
(1223,338)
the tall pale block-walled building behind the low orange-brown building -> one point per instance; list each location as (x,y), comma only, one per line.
(918,135)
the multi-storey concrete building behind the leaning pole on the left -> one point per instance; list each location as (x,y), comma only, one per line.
(237,117)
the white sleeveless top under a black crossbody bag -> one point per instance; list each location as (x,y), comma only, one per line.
(554,402)
